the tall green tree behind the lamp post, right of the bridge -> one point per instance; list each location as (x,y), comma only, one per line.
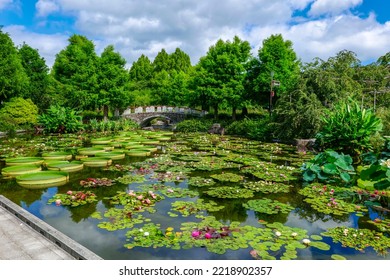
(278,61)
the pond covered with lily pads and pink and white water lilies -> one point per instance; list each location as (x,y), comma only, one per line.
(161,195)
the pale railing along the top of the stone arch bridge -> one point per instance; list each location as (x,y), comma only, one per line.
(163,109)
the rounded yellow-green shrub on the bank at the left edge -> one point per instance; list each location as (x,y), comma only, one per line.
(18,113)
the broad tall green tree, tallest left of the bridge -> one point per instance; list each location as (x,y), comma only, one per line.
(75,68)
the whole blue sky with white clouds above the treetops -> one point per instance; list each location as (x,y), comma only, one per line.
(317,28)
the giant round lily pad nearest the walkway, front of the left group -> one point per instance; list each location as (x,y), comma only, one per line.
(43,179)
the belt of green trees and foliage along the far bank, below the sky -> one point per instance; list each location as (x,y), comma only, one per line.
(227,81)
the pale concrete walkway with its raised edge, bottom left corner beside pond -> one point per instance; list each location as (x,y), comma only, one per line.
(25,237)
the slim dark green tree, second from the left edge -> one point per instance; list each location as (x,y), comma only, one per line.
(38,73)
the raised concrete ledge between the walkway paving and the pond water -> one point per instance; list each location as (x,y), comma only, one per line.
(75,249)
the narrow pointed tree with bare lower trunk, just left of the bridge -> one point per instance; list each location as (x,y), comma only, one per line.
(112,81)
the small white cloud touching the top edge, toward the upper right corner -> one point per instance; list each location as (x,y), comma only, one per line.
(333,7)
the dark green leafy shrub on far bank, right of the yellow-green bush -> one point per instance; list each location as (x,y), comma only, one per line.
(61,120)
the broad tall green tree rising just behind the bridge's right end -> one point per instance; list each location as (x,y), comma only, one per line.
(224,69)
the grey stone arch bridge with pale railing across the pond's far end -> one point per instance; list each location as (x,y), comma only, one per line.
(143,115)
